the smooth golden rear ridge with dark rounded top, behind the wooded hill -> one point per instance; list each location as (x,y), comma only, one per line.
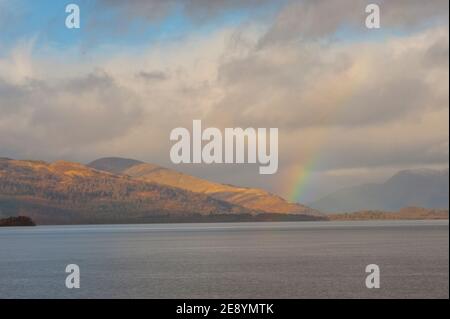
(250,198)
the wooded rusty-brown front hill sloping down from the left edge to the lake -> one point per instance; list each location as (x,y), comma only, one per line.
(71,193)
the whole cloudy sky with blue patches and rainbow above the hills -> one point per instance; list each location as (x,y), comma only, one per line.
(352,105)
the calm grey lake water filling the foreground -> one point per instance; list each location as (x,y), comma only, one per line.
(239,260)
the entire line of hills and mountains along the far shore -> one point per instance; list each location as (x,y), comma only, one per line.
(119,190)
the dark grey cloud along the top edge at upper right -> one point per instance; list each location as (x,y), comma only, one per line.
(312,19)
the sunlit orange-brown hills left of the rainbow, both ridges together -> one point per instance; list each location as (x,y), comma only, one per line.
(116,190)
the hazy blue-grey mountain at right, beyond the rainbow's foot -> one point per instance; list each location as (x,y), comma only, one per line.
(426,188)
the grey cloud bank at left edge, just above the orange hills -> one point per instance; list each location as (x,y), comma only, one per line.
(68,114)
